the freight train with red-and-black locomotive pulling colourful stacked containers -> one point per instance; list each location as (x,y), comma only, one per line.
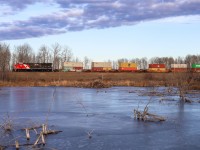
(105,67)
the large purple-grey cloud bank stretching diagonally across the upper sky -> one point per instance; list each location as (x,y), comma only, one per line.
(77,15)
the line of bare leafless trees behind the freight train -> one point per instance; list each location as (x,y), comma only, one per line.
(57,54)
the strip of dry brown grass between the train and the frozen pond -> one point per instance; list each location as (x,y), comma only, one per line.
(84,79)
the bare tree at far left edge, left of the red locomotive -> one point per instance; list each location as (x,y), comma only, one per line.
(5,57)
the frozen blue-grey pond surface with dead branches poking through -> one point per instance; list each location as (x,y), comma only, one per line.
(108,113)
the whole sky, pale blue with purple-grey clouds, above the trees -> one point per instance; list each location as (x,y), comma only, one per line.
(104,29)
